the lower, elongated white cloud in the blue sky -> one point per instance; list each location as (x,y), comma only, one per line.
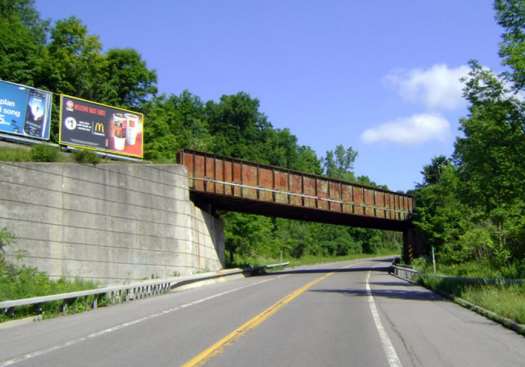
(414,129)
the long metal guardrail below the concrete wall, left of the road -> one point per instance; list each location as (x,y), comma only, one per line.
(115,294)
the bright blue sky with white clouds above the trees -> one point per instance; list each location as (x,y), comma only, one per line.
(380,76)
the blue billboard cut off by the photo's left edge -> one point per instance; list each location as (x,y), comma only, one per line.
(25,111)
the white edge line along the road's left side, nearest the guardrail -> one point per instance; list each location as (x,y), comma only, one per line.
(41,352)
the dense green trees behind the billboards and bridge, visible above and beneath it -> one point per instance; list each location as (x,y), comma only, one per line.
(64,58)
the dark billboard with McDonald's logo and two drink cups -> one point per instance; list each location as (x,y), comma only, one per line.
(91,125)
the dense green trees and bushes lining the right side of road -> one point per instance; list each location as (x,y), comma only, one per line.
(470,206)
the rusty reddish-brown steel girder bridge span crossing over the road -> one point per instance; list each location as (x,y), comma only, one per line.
(231,184)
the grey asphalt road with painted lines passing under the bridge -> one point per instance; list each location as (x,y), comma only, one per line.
(344,314)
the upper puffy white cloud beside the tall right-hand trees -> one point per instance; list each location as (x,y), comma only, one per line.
(438,87)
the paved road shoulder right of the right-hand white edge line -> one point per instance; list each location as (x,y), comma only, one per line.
(429,330)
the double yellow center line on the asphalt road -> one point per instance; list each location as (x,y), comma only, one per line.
(217,348)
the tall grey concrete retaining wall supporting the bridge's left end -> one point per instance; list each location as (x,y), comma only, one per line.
(111,223)
